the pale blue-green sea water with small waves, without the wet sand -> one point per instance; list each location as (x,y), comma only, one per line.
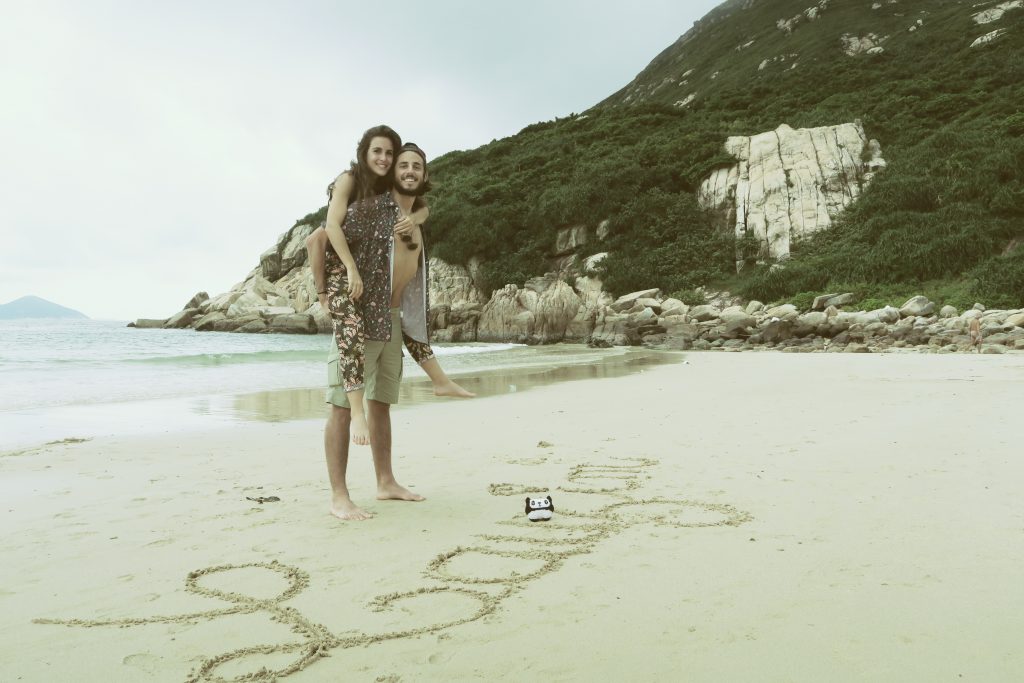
(48,364)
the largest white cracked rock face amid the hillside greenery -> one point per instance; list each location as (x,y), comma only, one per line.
(790,184)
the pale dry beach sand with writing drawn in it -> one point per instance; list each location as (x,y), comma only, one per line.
(739,518)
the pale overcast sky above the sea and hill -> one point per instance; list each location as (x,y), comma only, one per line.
(153,150)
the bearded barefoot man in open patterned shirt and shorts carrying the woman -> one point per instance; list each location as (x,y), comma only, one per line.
(394,301)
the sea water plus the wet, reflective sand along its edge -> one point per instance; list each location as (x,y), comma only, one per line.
(80,379)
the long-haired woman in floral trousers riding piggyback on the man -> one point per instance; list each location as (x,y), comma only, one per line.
(329,252)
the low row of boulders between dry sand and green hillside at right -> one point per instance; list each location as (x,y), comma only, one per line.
(728,324)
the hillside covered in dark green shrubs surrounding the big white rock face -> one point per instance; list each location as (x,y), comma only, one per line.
(947,219)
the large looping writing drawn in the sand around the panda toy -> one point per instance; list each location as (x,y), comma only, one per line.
(550,544)
